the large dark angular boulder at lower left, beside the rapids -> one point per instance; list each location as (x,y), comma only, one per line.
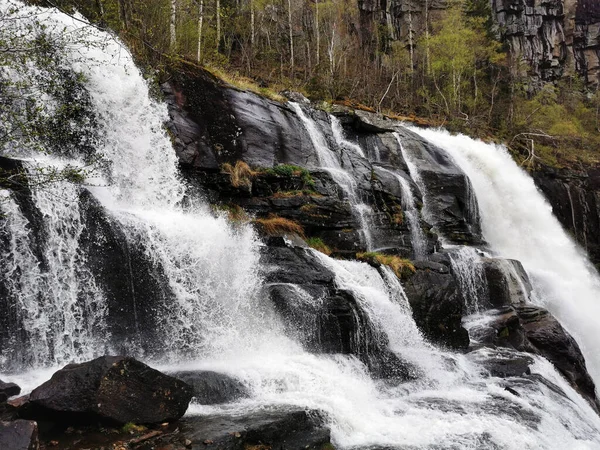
(113,389)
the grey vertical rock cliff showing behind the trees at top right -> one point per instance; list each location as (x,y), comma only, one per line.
(553,37)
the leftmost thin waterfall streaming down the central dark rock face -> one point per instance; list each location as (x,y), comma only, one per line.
(329,162)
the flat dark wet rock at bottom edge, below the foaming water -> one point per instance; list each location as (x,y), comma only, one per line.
(275,430)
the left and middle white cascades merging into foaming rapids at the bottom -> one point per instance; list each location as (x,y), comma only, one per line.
(218,322)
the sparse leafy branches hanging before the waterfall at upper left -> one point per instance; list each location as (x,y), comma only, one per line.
(45,107)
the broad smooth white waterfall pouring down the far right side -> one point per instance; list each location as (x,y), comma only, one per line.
(518,223)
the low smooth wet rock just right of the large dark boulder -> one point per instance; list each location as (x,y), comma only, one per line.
(211,388)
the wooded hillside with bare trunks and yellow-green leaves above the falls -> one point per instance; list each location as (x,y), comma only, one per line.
(448,68)
